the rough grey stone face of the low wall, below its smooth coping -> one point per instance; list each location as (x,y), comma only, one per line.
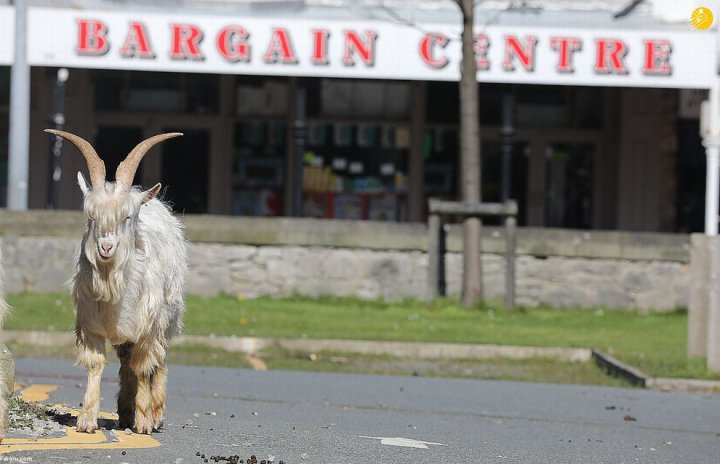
(45,263)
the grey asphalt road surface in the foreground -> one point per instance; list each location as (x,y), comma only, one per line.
(305,418)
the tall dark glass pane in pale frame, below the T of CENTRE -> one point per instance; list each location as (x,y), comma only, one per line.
(569,185)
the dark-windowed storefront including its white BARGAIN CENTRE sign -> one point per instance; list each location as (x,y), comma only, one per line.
(359,117)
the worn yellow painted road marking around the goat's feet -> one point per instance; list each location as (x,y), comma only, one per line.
(73,439)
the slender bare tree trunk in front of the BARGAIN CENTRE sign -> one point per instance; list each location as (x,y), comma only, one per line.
(470,162)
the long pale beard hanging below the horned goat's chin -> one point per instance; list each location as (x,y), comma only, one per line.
(108,276)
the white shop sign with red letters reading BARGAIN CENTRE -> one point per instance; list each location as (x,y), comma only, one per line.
(368,49)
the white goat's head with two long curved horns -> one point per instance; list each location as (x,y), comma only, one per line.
(112,209)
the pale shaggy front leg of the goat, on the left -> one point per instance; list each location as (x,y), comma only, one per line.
(91,356)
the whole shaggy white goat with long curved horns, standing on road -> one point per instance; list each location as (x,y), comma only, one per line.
(127,287)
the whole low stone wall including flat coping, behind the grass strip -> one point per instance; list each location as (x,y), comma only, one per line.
(262,256)
